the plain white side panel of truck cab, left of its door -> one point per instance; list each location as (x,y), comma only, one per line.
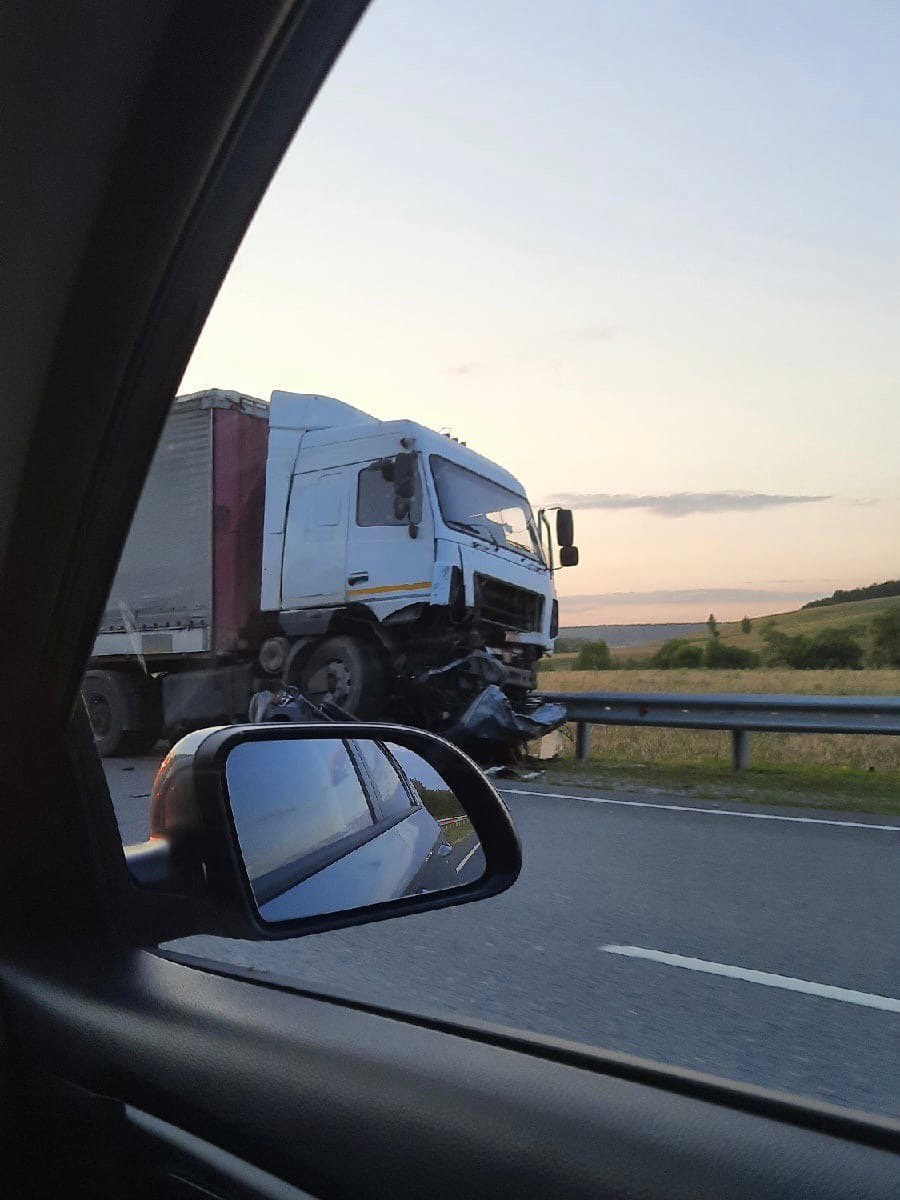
(315,565)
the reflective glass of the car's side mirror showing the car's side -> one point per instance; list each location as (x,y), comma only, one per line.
(327,825)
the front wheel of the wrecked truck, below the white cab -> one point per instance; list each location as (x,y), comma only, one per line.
(347,673)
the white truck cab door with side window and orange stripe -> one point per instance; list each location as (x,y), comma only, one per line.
(387,568)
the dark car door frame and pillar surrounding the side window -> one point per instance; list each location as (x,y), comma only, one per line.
(127,1034)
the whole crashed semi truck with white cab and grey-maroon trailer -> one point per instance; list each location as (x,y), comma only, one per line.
(380,567)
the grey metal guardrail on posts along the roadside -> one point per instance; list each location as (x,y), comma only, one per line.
(741,715)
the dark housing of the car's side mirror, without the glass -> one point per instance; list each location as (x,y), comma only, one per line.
(194,830)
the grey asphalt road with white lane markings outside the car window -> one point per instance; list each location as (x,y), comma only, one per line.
(759,950)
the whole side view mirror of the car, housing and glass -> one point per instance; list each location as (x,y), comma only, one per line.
(286,830)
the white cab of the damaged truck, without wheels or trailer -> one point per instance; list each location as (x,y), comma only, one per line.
(337,532)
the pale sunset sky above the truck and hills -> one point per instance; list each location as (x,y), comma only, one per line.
(644,255)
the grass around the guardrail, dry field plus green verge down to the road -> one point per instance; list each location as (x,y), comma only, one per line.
(850,766)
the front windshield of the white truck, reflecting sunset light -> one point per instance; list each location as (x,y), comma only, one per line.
(478,506)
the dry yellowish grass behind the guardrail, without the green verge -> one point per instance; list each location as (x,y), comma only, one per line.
(625,745)
